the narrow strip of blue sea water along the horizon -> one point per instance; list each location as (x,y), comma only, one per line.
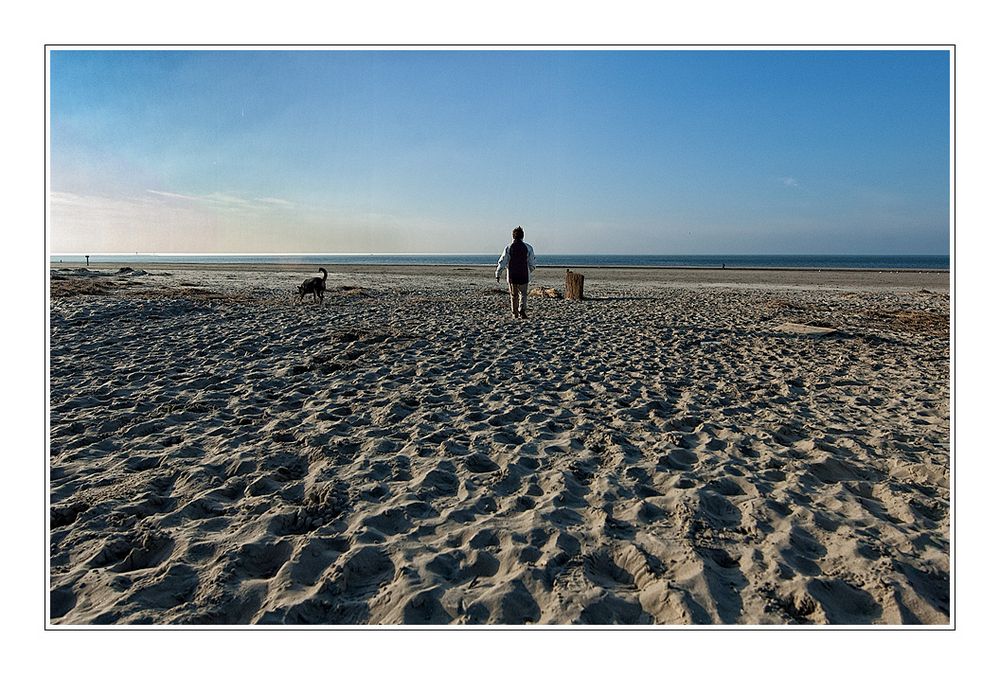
(887,262)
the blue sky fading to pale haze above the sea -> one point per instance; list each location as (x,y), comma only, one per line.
(658,151)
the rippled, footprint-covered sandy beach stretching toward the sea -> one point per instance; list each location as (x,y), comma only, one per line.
(672,450)
